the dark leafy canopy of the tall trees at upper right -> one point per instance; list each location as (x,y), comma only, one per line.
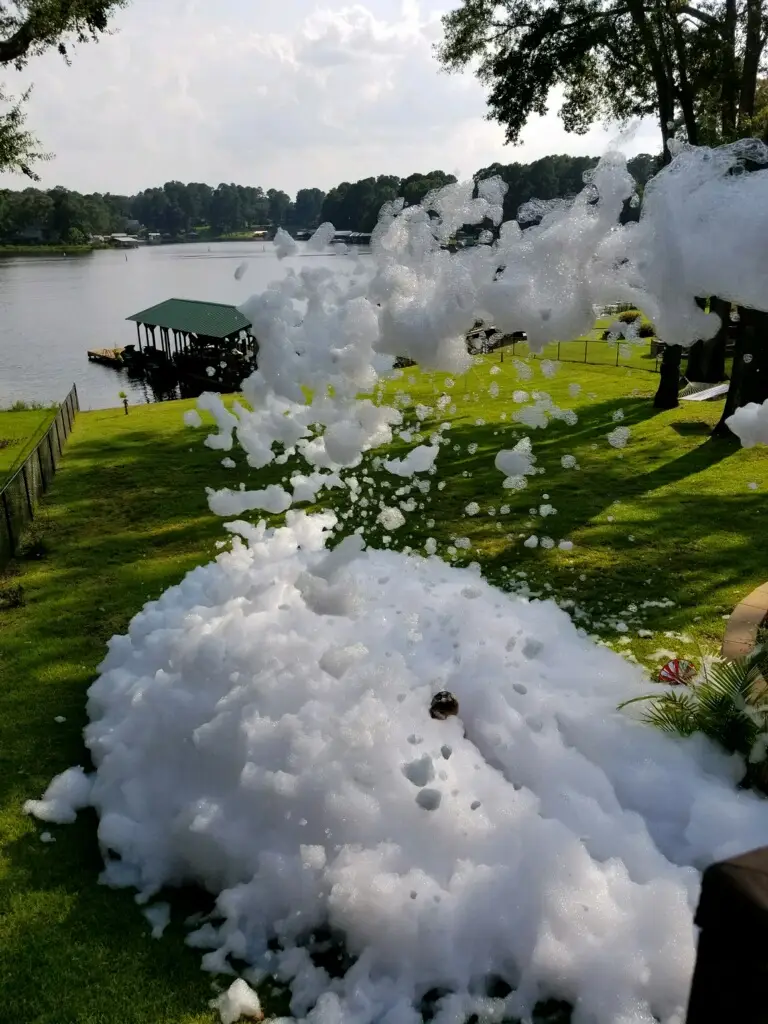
(695,67)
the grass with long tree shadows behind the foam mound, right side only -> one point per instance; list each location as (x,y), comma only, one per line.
(671,517)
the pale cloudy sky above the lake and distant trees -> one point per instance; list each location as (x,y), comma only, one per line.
(279,94)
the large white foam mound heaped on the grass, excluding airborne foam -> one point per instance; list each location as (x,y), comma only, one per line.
(280,753)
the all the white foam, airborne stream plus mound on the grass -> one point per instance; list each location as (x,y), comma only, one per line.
(263,731)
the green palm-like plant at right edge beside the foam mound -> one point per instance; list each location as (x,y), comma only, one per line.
(730,706)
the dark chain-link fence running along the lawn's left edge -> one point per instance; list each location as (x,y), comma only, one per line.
(21,494)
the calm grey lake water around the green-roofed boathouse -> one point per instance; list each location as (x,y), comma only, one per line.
(55,309)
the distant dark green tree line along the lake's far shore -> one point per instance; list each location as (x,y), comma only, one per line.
(60,217)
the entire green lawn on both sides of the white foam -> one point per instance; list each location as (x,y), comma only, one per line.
(670,517)
